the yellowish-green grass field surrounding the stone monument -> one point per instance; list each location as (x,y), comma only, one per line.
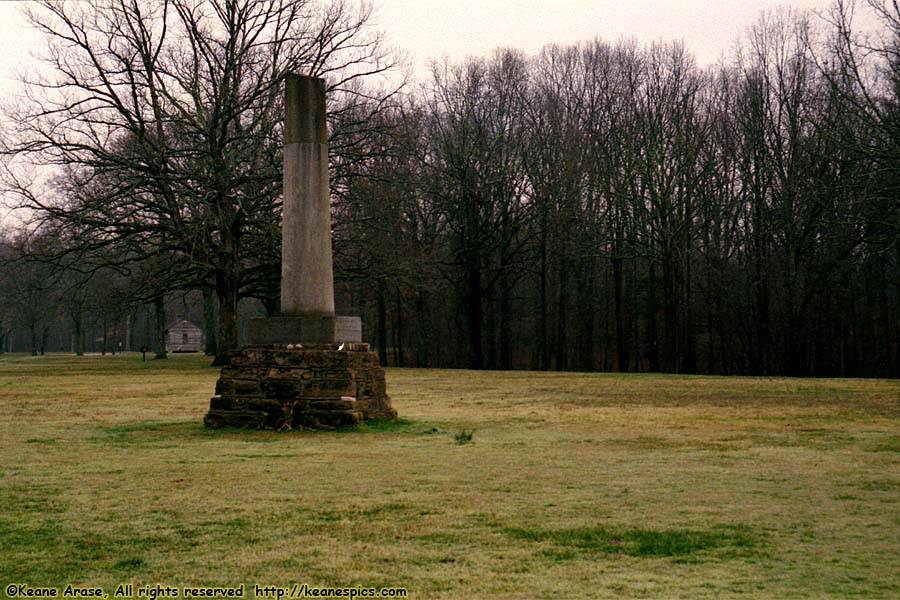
(571,486)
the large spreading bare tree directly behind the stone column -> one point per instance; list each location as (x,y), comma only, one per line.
(168,113)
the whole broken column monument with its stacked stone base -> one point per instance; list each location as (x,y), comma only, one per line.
(306,367)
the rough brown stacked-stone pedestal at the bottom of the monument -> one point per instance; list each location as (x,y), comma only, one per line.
(283,386)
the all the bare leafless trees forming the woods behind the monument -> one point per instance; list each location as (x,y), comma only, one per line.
(597,206)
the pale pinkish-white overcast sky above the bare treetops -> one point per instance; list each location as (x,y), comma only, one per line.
(429,29)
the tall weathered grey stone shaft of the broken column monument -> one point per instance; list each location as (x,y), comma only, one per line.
(307,284)
